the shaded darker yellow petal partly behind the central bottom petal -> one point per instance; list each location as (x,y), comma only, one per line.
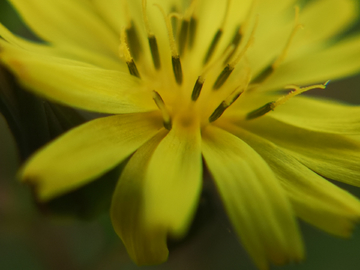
(144,245)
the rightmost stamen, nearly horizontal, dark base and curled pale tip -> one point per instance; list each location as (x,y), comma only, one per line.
(270,106)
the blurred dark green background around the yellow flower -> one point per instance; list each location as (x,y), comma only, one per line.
(33,241)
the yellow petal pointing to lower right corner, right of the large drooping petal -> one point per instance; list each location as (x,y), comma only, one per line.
(314,199)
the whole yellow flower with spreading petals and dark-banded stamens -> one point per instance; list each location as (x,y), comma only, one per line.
(194,84)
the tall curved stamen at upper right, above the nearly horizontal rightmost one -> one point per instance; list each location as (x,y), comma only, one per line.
(270,69)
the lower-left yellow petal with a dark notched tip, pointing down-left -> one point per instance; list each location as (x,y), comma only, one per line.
(88,151)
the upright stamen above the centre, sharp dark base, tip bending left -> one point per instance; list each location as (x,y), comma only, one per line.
(175,59)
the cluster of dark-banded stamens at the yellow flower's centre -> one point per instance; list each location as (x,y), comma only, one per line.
(188,89)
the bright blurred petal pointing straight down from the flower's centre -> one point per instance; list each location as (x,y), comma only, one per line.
(173,181)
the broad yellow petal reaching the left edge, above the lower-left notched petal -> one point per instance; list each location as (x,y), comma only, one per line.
(78,84)
